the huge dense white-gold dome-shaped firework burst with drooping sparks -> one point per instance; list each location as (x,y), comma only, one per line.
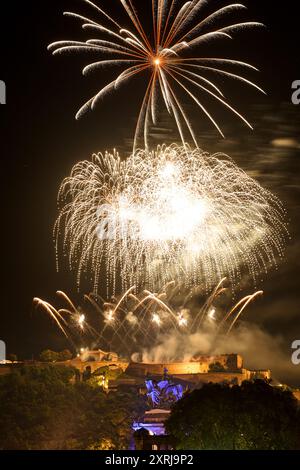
(170,214)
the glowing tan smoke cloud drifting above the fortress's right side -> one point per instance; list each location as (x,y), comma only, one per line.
(258,348)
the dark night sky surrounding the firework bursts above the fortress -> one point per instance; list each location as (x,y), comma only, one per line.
(41,141)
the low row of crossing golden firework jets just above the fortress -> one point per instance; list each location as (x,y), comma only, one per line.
(140,320)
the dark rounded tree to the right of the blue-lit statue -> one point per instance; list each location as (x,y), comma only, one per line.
(252,416)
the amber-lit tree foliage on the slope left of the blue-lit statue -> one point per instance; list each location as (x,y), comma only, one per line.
(42,409)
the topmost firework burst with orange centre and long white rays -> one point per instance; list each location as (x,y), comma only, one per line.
(166,56)
